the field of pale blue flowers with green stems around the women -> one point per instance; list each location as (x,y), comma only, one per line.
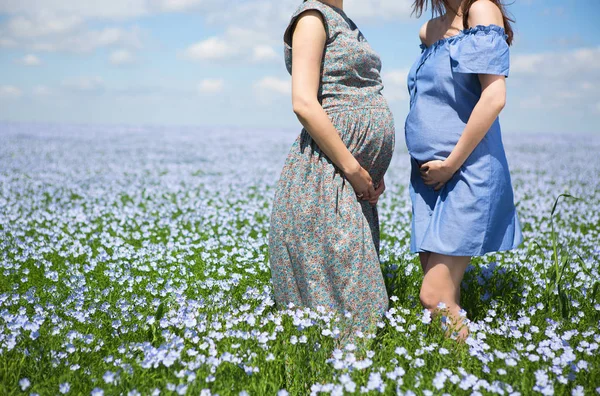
(134,261)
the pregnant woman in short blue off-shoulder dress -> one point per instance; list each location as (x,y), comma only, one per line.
(460,184)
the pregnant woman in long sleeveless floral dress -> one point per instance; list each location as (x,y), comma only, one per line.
(324,235)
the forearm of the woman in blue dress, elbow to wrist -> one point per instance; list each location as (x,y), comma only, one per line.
(482,117)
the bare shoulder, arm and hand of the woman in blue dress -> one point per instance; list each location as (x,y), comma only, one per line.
(485,112)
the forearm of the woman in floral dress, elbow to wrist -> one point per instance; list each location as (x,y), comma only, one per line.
(315,120)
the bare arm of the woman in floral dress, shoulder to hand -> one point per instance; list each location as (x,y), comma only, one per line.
(308,43)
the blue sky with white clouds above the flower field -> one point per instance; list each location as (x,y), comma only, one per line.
(220,62)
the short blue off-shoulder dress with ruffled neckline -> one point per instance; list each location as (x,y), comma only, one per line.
(474,213)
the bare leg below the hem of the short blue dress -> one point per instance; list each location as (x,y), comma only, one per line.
(441,283)
